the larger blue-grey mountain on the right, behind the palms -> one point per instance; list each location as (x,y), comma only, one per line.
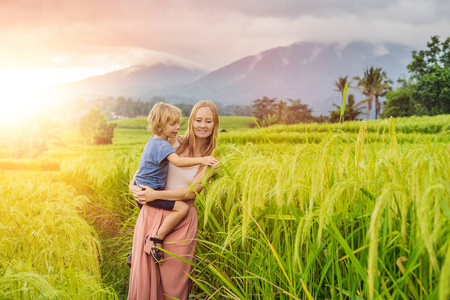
(305,71)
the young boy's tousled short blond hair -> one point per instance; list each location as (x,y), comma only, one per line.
(161,114)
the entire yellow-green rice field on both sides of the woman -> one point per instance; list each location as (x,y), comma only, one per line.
(309,211)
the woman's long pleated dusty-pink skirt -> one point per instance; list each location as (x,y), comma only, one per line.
(148,280)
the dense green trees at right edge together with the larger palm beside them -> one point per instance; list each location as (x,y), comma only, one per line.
(425,92)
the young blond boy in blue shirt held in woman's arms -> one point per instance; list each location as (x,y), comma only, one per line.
(164,122)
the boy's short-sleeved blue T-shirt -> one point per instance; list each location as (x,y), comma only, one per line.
(154,165)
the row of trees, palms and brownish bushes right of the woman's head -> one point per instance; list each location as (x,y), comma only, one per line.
(426,92)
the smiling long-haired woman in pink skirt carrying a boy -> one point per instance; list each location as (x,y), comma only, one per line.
(149,280)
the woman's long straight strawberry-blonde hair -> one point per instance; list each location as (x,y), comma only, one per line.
(189,139)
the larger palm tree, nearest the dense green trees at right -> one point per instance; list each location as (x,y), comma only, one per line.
(373,84)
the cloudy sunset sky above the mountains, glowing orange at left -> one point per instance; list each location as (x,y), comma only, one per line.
(49,42)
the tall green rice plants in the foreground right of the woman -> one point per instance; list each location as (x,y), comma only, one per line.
(328,220)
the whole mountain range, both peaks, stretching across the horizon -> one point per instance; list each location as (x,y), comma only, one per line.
(304,70)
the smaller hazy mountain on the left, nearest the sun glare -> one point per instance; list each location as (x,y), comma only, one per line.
(135,81)
